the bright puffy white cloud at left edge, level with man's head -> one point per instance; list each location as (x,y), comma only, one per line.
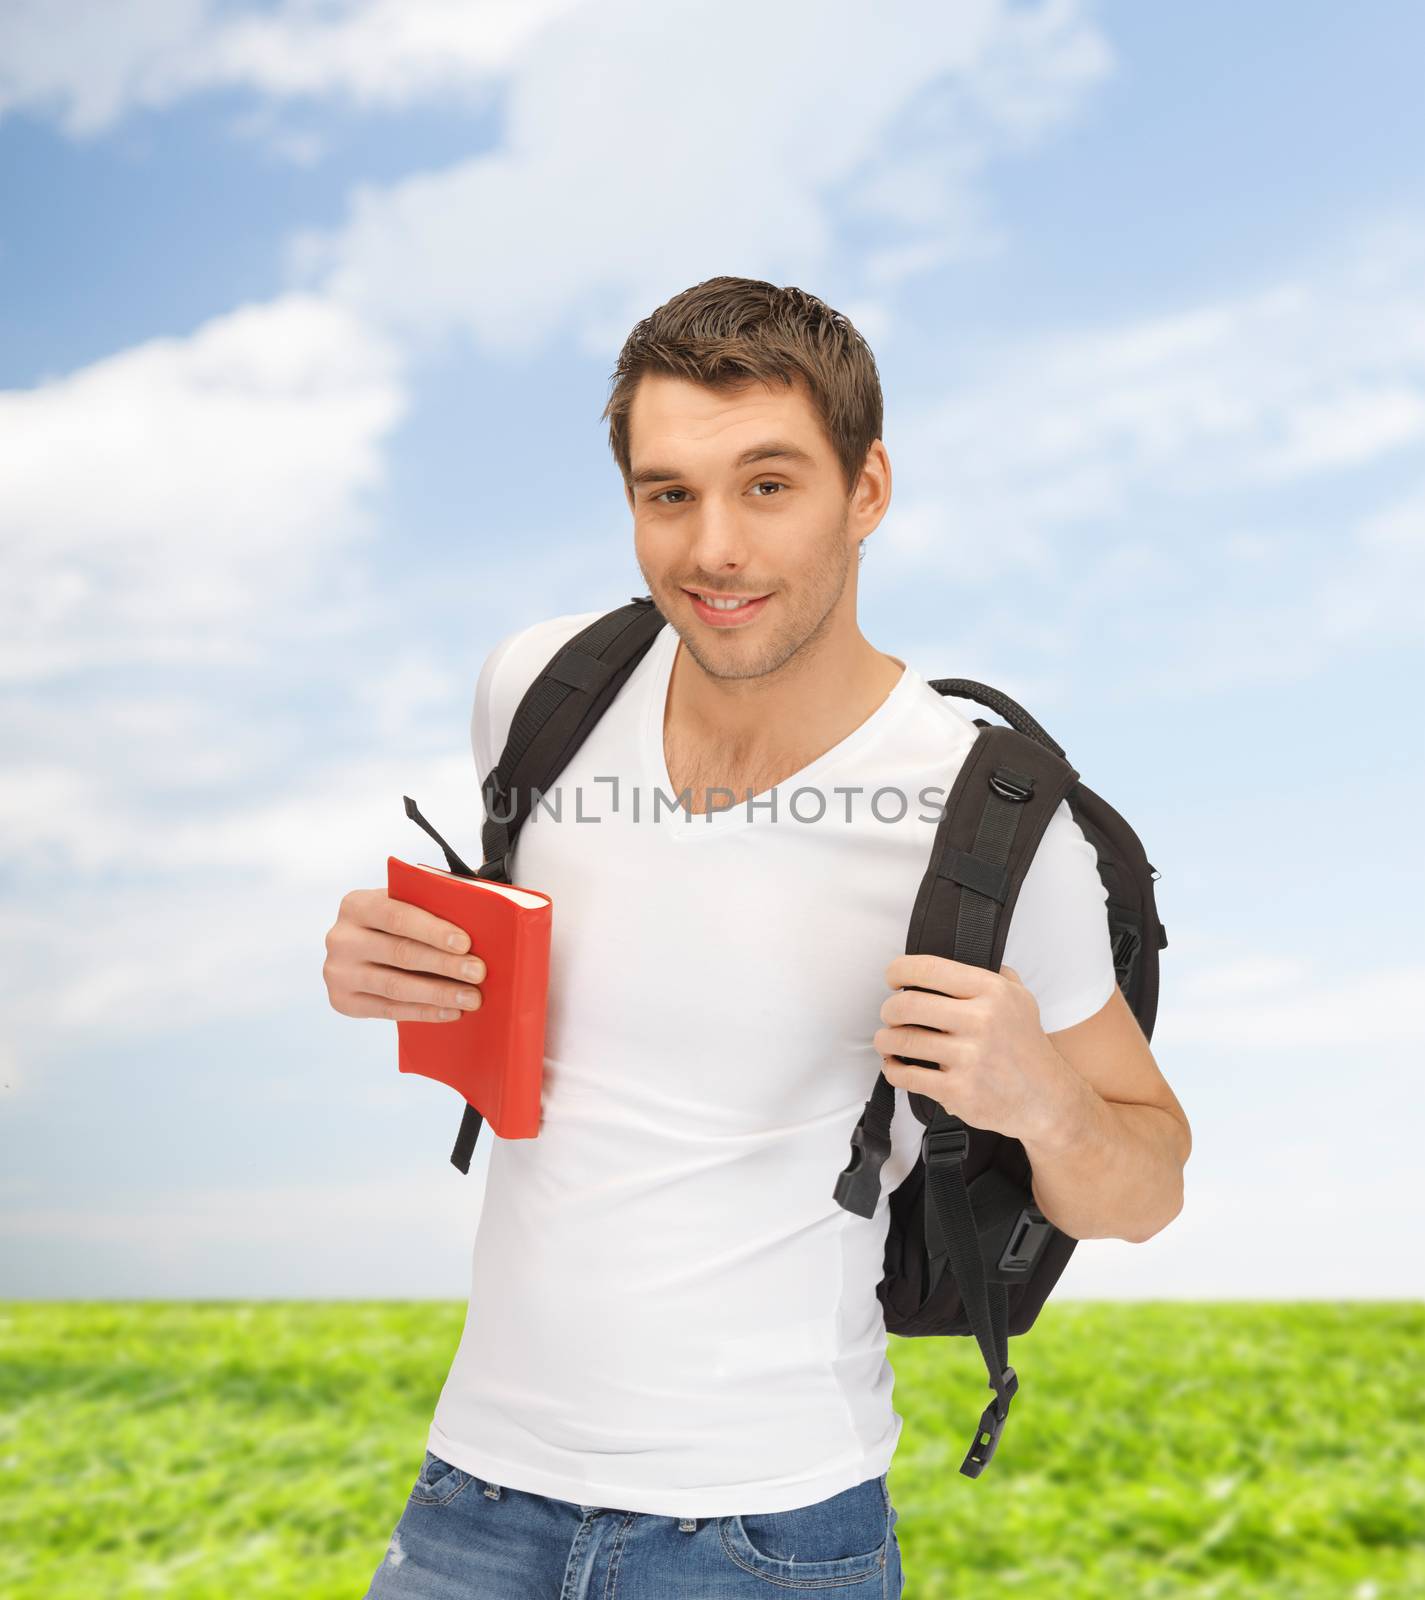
(169,503)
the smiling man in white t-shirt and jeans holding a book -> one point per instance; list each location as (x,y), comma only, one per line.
(674,1378)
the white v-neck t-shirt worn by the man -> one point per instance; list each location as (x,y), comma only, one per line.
(669,1313)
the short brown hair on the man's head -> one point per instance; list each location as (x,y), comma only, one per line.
(728,334)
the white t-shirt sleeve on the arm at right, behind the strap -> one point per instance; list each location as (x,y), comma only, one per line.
(1060,932)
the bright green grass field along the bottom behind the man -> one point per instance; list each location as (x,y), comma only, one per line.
(252,1450)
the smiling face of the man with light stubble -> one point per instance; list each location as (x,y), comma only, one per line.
(778,529)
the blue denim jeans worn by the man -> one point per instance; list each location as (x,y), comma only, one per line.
(463,1538)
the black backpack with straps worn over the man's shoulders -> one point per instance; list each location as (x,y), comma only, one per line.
(967,1249)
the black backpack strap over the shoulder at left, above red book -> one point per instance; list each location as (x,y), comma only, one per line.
(554,718)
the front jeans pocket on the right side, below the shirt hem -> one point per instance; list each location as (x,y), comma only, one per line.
(832,1543)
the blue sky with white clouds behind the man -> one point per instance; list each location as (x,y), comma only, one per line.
(306,322)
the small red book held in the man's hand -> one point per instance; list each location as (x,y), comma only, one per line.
(493,1055)
